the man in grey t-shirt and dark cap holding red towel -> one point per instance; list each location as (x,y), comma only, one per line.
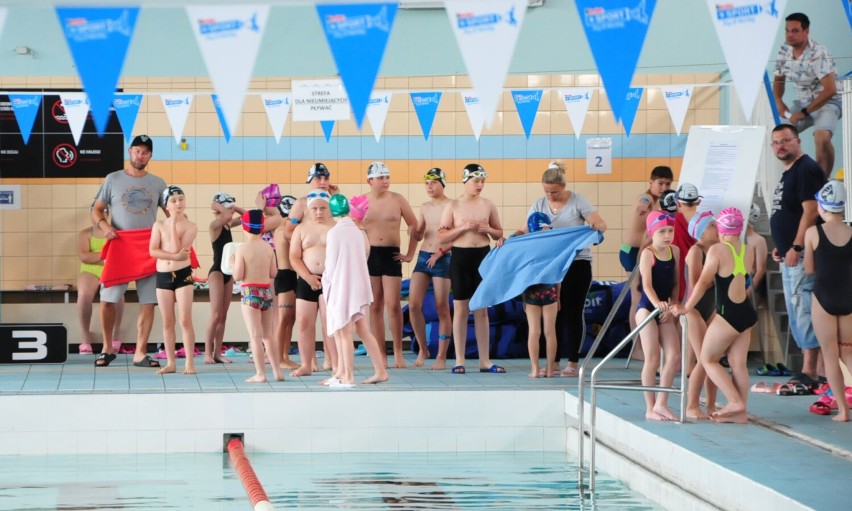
(132,196)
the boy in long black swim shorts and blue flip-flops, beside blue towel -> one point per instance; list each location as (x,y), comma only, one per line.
(468,222)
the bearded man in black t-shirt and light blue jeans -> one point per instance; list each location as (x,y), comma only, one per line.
(793,211)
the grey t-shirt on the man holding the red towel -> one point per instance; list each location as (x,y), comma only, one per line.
(132,201)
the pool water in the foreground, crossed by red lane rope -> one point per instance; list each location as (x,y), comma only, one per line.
(433,481)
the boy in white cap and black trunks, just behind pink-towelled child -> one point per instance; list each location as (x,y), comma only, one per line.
(383,221)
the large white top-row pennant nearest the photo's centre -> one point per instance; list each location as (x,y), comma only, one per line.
(486,32)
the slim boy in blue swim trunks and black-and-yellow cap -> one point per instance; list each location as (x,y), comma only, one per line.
(433,264)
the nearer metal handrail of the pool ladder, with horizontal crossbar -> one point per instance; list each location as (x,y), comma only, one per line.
(613,386)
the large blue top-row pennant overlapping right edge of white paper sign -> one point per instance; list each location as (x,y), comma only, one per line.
(357,35)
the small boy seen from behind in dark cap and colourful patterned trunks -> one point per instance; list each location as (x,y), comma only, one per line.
(254,266)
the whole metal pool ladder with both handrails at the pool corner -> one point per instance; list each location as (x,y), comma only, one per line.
(633,385)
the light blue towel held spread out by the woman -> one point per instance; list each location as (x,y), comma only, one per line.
(537,258)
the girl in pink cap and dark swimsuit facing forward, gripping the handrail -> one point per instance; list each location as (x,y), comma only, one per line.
(658,268)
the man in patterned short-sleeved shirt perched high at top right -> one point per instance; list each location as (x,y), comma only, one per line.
(811,69)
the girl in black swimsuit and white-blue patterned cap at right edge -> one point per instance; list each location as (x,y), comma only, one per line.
(828,254)
